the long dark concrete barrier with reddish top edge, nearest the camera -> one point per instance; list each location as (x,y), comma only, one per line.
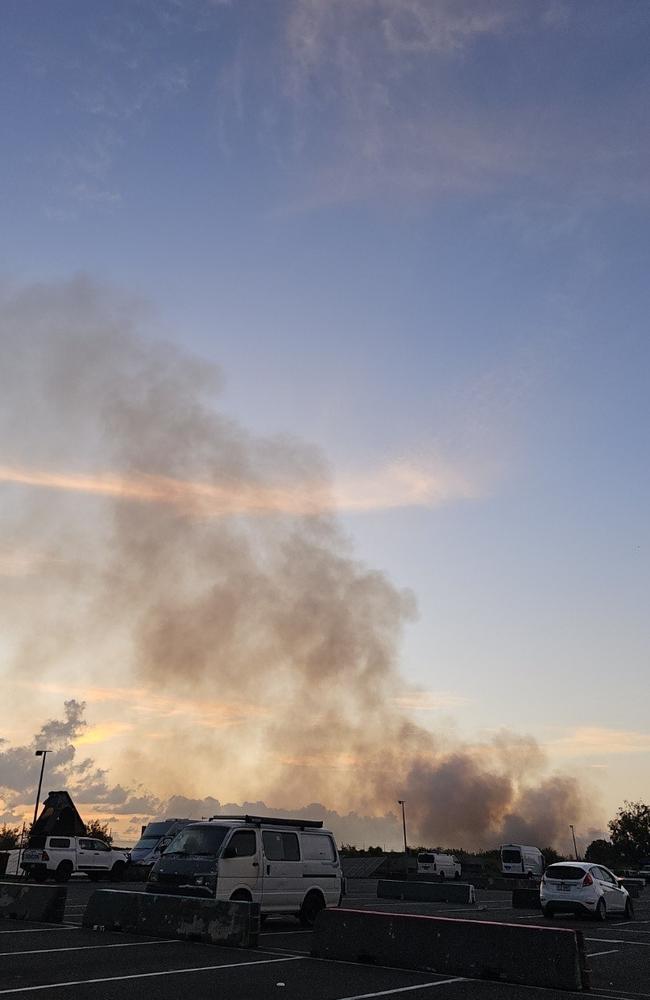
(529,956)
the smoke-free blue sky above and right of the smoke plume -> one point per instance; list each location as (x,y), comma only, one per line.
(415,234)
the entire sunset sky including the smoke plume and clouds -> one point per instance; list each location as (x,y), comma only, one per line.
(324,410)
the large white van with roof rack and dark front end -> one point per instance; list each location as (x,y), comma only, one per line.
(285,865)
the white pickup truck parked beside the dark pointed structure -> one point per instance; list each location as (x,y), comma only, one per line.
(60,857)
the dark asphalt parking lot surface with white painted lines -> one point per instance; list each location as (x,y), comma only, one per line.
(71,961)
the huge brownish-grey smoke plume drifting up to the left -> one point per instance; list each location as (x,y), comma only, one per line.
(263,605)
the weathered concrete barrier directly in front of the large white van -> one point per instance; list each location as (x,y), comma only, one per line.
(235,924)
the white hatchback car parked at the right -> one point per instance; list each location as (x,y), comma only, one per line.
(580,887)
